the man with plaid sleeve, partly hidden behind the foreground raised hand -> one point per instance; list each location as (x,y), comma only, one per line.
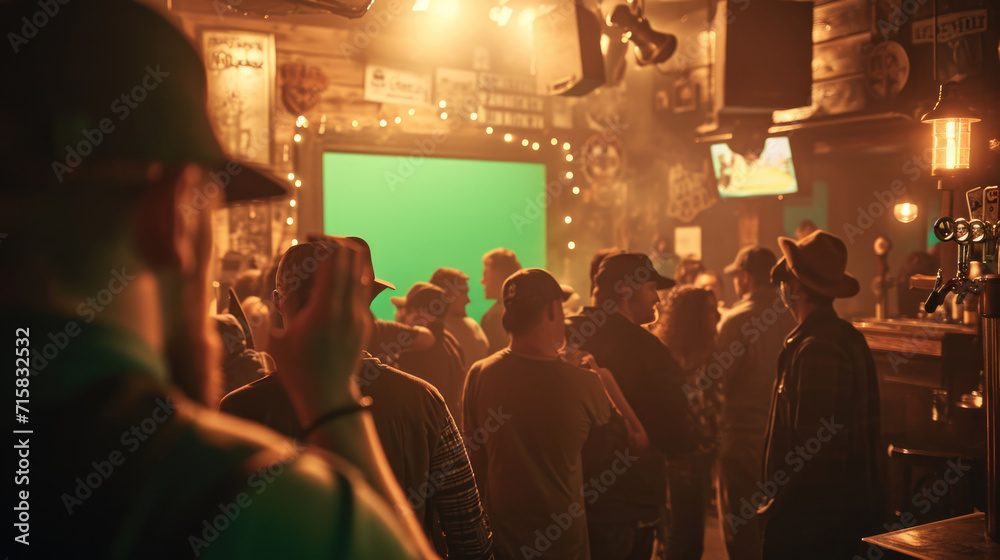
(420,438)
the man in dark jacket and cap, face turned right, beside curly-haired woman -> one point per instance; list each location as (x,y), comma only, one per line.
(622,521)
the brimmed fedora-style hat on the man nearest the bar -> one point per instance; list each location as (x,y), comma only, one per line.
(819,262)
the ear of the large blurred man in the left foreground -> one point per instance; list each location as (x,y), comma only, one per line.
(166,216)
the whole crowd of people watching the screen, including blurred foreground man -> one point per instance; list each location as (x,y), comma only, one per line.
(158,430)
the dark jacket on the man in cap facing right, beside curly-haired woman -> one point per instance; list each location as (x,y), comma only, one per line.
(652,383)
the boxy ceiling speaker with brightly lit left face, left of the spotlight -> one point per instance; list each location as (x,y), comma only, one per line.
(568,58)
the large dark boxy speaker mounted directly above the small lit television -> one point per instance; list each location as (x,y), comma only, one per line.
(768,54)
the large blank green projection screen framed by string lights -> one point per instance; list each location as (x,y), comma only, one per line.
(418,215)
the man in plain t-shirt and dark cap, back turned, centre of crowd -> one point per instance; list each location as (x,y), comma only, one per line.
(527,415)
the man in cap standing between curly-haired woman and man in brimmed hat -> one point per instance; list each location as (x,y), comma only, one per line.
(750,338)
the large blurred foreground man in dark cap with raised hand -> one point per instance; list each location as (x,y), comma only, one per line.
(108,174)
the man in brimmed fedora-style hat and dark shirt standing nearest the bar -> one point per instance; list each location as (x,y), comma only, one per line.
(822,486)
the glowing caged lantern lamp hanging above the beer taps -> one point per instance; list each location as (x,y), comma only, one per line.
(952,121)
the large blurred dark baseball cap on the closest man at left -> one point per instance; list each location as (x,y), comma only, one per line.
(104,89)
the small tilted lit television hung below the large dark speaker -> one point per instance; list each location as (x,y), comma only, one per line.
(772,173)
